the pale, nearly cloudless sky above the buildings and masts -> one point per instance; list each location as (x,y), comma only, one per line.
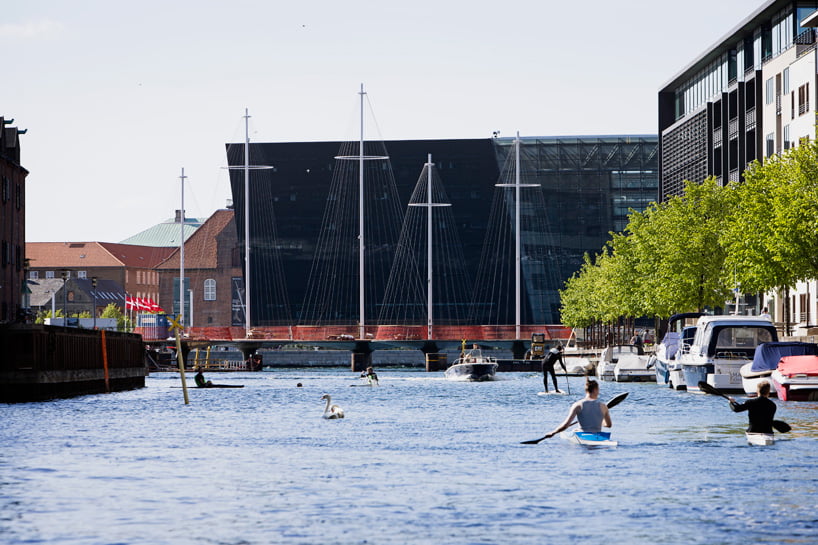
(117,98)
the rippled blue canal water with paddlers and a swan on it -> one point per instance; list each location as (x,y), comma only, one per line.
(418,460)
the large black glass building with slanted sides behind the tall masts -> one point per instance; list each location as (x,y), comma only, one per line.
(579,189)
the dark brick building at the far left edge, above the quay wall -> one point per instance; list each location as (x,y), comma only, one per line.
(12,224)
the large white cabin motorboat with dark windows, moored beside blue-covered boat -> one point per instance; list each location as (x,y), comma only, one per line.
(721,346)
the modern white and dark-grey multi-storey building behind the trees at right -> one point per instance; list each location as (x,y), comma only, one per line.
(747,97)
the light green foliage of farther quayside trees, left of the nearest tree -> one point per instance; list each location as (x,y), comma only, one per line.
(669,259)
